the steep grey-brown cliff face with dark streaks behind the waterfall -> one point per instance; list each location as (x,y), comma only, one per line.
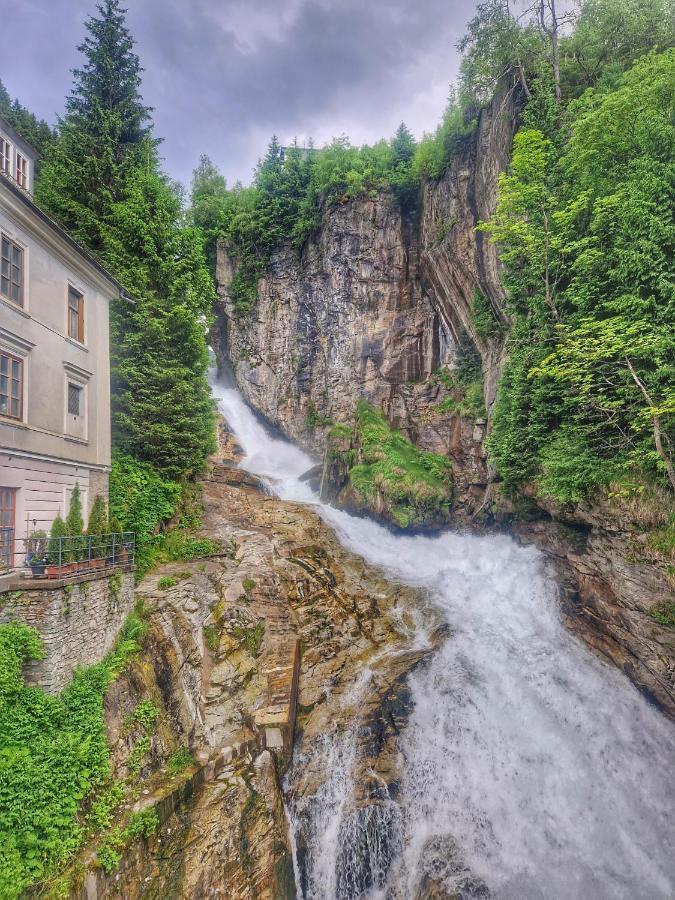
(374,306)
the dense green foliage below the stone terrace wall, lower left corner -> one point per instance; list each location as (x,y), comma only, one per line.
(53,753)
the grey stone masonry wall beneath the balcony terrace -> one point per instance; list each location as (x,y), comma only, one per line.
(78,623)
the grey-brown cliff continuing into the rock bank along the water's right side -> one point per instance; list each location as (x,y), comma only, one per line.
(373,307)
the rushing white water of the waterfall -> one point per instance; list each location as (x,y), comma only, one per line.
(546,767)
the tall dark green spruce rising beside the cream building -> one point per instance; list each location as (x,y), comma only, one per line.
(102,181)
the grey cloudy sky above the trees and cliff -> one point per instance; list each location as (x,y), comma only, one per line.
(224,75)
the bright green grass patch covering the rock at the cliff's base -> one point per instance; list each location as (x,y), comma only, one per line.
(415,485)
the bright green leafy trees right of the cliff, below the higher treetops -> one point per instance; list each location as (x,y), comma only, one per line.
(585,232)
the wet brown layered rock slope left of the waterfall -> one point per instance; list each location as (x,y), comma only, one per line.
(213,667)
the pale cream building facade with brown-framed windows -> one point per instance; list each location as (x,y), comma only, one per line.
(54,357)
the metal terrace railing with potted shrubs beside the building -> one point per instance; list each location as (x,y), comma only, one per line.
(65,557)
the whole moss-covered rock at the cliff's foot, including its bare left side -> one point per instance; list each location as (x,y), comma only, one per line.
(373,468)
